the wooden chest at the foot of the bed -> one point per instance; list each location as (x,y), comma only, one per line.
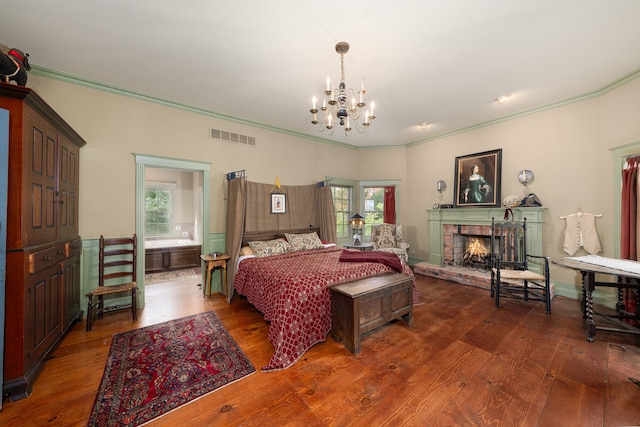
(360,307)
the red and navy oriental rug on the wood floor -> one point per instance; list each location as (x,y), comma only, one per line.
(156,369)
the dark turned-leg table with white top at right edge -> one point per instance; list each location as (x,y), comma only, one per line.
(589,284)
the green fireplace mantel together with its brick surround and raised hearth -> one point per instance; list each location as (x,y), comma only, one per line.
(444,224)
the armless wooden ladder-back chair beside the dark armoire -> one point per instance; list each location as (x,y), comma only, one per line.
(116,275)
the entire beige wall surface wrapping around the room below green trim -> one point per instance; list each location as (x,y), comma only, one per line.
(567,147)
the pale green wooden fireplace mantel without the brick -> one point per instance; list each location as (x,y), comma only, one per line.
(481,216)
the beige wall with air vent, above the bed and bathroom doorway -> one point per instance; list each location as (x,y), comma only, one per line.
(116,126)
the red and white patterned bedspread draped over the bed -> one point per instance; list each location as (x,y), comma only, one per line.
(292,292)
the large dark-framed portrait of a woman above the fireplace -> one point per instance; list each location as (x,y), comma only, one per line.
(477,179)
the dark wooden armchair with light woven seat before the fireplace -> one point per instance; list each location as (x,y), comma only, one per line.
(511,276)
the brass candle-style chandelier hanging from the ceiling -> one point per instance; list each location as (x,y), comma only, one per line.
(341,105)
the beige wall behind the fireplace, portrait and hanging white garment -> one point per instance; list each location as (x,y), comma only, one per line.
(568,149)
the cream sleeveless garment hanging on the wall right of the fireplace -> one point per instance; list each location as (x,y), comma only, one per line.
(581,232)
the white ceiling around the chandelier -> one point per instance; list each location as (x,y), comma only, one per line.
(442,62)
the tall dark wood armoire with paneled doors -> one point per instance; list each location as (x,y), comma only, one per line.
(42,298)
